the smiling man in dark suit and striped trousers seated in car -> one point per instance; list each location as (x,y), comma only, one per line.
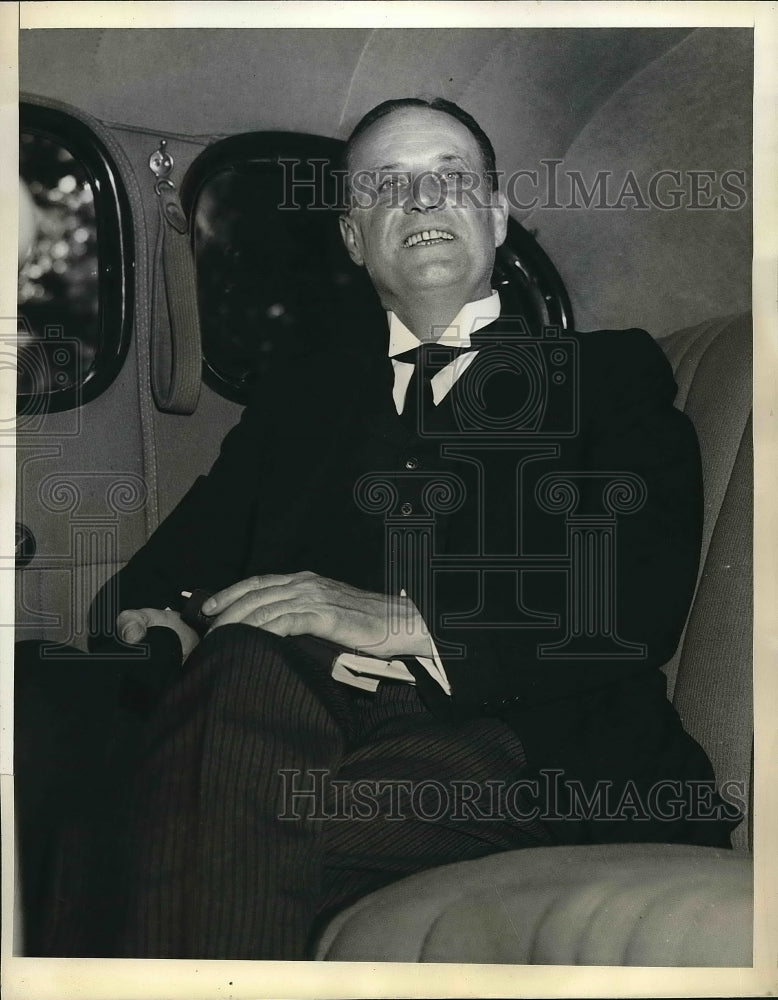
(514,522)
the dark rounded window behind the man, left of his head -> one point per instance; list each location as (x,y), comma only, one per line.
(273,276)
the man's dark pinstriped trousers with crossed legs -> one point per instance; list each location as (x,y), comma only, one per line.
(266,797)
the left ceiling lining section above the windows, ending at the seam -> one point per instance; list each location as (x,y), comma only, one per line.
(197,82)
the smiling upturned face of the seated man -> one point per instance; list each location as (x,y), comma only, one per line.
(411,168)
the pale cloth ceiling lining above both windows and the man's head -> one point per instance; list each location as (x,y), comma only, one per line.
(525,85)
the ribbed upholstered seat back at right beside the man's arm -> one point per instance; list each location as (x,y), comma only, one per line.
(710,677)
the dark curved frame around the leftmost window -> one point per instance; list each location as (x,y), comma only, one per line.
(115,257)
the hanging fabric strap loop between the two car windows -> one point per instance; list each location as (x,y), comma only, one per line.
(176,353)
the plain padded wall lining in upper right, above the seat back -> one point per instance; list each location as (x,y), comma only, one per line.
(664,270)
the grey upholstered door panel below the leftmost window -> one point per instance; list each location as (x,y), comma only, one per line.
(87,450)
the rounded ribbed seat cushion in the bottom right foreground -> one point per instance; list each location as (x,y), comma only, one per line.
(614,904)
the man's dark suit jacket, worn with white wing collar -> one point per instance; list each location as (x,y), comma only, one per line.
(298,485)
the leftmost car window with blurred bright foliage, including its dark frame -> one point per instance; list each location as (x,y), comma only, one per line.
(75,263)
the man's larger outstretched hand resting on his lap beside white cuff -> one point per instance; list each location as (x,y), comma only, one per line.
(307,604)
